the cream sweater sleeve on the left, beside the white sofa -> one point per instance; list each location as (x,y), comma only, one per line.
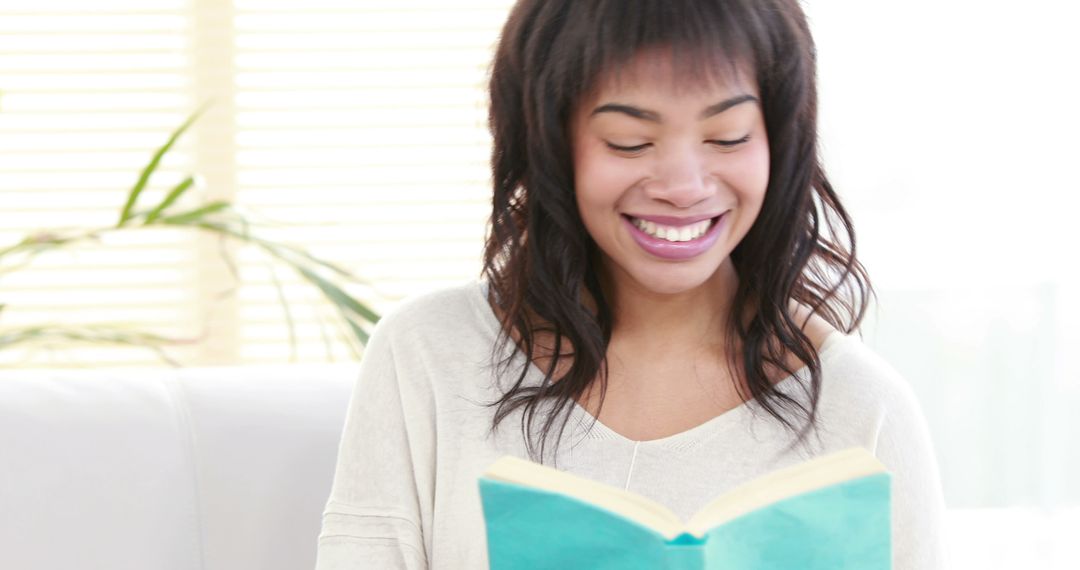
(374,517)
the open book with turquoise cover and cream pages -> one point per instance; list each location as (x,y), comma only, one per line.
(832,512)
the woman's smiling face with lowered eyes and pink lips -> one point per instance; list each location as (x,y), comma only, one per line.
(669,181)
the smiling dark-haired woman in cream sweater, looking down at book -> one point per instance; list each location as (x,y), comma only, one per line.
(667,303)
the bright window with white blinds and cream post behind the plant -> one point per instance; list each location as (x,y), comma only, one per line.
(354,130)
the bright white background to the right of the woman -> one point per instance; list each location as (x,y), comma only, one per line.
(951,131)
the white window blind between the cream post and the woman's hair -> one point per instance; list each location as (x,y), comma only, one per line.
(363,125)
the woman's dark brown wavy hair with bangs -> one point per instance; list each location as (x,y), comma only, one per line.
(543,266)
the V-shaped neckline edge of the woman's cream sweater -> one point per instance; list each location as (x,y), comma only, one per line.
(597,430)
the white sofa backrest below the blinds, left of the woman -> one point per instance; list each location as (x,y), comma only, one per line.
(210,469)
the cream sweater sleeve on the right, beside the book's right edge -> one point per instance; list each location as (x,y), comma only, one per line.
(919,510)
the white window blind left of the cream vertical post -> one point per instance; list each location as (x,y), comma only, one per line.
(86,97)
